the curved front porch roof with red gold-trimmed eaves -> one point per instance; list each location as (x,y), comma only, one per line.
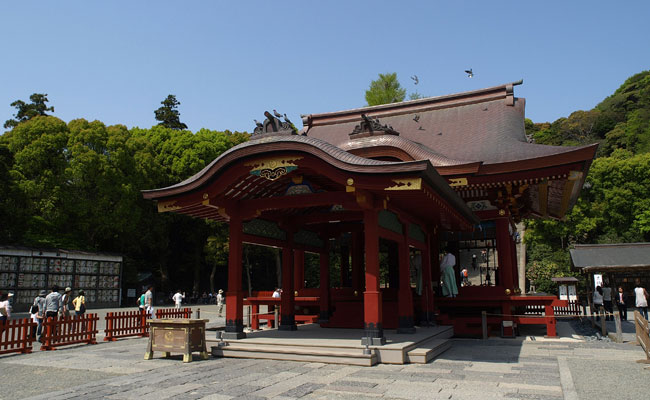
(255,177)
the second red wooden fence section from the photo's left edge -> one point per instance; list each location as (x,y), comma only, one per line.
(63,331)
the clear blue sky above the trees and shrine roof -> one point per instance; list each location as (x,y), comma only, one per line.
(228,61)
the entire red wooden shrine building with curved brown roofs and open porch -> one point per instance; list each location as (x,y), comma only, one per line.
(455,169)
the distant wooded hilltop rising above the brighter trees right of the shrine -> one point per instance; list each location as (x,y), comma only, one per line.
(621,121)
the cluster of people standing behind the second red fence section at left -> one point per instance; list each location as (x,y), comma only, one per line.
(54,304)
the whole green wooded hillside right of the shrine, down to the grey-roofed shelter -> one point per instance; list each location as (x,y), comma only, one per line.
(614,206)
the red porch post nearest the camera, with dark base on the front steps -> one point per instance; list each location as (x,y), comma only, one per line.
(372,302)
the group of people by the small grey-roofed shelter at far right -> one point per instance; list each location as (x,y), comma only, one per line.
(604,301)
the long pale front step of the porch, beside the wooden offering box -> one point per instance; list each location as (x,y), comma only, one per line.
(297,353)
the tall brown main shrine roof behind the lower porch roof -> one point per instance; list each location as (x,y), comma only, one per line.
(485,126)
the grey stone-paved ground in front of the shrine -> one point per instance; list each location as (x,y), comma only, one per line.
(522,368)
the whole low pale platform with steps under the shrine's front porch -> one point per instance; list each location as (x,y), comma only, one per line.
(336,346)
